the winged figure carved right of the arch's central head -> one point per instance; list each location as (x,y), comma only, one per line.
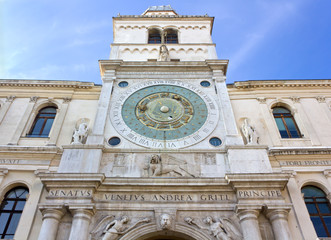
(221,229)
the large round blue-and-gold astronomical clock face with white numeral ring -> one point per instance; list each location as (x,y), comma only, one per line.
(164,114)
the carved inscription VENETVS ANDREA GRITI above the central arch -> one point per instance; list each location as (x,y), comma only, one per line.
(214,197)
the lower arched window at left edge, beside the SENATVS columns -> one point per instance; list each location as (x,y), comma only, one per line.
(11,210)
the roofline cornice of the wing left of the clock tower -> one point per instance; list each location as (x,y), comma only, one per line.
(45,83)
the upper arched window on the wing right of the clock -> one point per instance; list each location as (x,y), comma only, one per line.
(285,122)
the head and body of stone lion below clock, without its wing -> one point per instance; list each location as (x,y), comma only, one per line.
(159,169)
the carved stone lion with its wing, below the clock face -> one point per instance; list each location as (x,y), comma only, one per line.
(158,168)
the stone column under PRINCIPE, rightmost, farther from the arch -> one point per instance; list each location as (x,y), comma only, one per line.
(278,219)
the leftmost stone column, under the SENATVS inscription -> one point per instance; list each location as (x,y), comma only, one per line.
(51,219)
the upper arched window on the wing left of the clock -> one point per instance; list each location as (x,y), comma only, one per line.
(43,123)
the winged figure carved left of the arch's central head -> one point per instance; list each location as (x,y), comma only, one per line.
(115,228)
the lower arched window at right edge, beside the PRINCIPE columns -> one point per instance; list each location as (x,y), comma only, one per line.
(319,210)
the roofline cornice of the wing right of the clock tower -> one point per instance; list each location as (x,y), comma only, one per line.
(283,83)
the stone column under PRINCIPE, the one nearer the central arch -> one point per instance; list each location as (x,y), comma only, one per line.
(249,223)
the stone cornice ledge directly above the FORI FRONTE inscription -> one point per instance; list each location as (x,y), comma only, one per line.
(300,151)
